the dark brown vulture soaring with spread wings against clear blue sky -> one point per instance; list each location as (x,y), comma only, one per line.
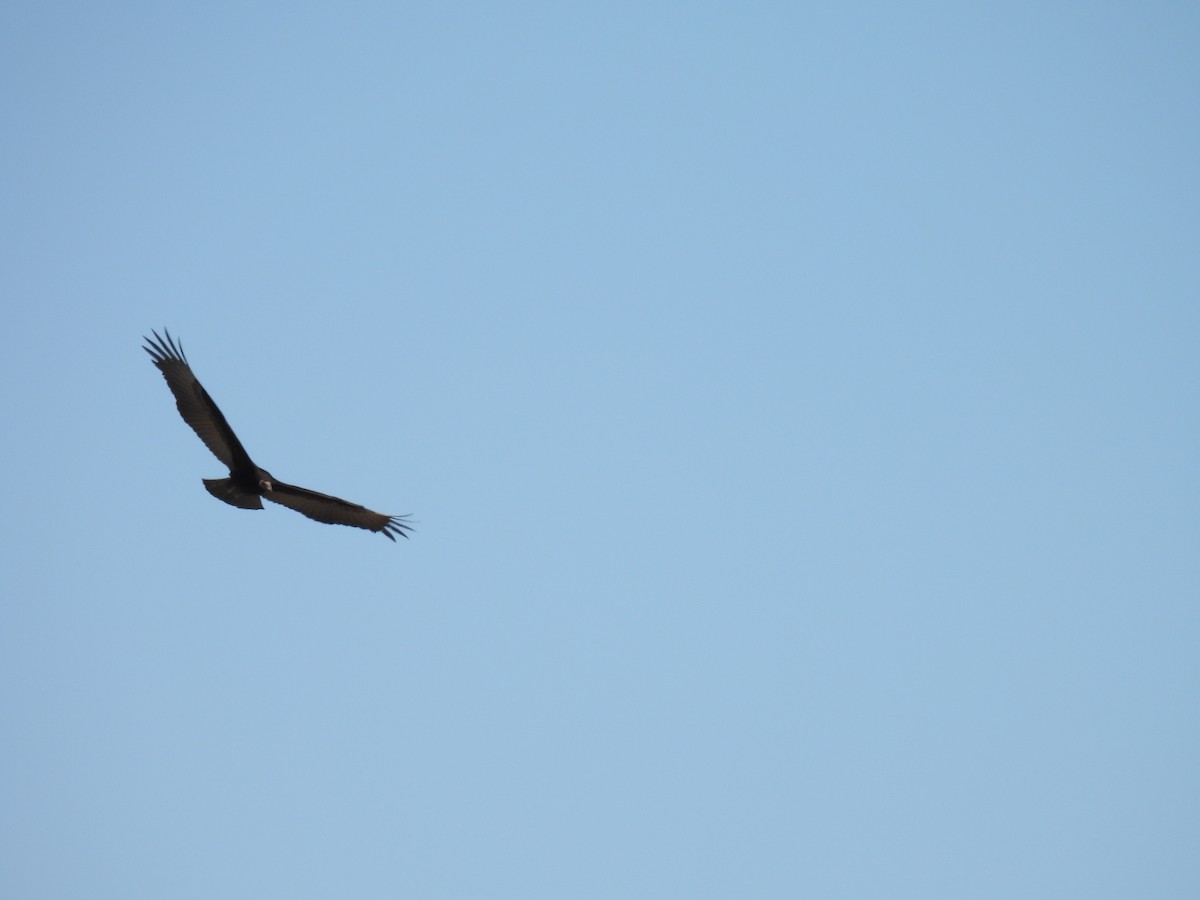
(248,483)
